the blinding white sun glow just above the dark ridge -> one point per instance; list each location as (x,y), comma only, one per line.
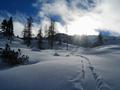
(85,25)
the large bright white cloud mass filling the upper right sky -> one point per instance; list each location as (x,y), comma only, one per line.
(103,13)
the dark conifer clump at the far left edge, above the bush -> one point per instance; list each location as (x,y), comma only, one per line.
(7,28)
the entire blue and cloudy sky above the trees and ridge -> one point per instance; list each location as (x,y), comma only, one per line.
(80,16)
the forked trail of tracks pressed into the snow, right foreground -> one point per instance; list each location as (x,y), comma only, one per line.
(79,78)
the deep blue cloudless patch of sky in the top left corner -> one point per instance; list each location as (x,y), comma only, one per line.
(13,6)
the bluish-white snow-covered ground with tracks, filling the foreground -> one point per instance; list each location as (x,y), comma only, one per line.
(75,69)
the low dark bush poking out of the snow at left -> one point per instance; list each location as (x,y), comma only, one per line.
(13,57)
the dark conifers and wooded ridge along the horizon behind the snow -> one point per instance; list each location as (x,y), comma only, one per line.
(50,34)
